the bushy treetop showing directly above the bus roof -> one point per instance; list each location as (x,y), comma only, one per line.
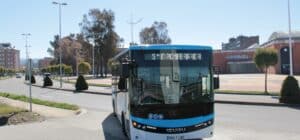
(156,34)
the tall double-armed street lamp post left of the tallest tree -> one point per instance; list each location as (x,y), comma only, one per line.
(60,63)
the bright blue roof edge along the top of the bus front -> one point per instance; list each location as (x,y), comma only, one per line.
(170,47)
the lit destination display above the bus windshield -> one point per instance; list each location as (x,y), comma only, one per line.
(173,56)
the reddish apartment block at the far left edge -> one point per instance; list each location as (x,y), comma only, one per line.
(9,56)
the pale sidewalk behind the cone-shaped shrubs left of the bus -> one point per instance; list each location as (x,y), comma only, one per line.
(71,87)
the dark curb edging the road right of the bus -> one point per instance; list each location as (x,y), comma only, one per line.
(256,103)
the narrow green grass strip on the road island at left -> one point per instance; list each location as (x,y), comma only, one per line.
(40,102)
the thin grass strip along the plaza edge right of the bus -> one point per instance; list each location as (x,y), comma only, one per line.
(246,92)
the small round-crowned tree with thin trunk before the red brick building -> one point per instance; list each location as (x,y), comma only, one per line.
(264,58)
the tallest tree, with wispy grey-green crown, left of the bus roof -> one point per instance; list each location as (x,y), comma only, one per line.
(98,26)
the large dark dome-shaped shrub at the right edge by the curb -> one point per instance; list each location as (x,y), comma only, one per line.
(290,92)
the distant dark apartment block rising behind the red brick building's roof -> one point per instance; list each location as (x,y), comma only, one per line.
(240,43)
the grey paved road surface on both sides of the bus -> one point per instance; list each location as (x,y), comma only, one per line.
(233,122)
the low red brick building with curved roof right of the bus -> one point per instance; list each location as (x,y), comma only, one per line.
(242,61)
